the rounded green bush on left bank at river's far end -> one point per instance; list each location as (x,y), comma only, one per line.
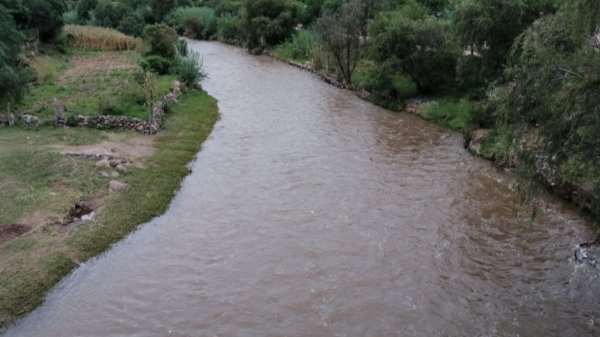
(194,22)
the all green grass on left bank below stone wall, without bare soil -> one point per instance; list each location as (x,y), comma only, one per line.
(33,263)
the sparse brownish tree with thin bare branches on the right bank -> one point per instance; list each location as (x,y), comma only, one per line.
(341,36)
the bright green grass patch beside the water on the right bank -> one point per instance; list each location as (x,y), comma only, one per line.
(455,114)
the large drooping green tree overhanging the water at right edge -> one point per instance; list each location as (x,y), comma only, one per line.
(552,81)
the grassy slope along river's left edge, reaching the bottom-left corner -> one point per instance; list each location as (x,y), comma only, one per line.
(33,263)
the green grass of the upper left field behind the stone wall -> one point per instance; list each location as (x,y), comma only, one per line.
(85,93)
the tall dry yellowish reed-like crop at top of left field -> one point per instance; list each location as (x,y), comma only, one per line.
(98,38)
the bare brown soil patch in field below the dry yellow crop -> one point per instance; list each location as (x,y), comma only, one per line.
(82,66)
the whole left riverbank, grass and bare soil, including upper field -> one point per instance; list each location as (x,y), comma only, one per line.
(68,193)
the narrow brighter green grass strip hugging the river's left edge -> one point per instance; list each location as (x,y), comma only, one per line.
(188,124)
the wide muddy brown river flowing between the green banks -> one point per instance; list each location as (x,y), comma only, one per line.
(312,213)
